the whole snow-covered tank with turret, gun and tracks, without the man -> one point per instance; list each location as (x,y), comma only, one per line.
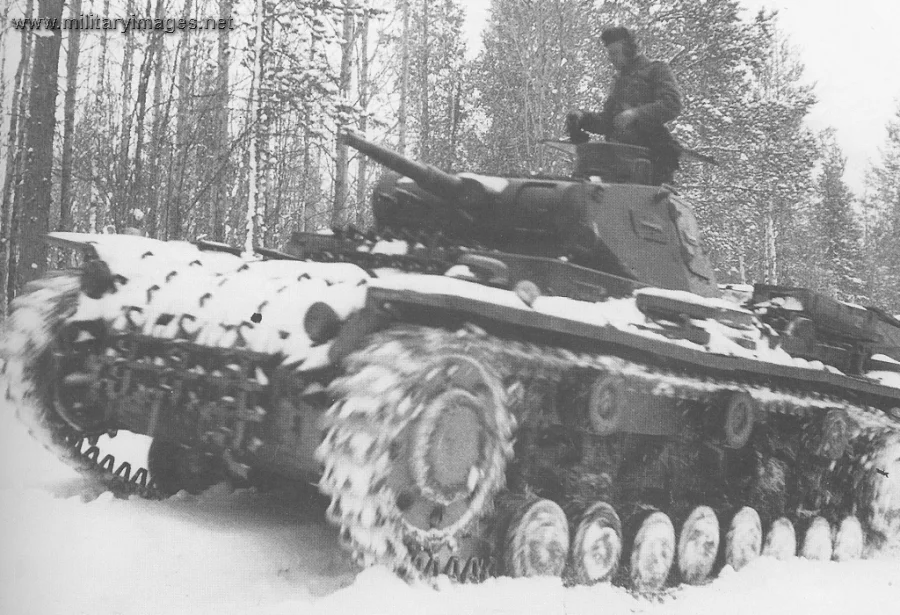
(520,376)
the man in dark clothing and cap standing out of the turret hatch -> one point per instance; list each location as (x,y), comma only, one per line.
(643,98)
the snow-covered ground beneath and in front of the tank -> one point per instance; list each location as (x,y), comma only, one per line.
(67,549)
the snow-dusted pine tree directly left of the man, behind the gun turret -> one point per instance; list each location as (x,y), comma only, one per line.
(538,61)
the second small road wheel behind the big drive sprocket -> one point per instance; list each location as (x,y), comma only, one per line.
(597,545)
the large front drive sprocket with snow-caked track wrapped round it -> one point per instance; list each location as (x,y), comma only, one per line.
(417,445)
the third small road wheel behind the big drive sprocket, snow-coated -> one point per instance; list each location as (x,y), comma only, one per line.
(653,553)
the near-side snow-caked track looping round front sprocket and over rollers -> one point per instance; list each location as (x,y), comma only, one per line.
(378,381)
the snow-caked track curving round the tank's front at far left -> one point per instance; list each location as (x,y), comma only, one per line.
(36,321)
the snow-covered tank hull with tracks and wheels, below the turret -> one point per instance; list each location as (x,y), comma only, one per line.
(452,424)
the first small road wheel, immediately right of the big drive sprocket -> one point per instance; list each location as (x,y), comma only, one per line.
(537,540)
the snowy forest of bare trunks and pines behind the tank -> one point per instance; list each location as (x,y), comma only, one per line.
(232,134)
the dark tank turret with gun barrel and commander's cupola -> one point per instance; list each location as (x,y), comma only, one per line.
(606,217)
